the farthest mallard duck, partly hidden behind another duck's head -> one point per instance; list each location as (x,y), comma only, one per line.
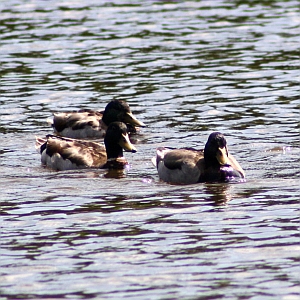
(93,124)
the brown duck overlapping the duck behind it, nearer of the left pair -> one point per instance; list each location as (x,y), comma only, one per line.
(60,153)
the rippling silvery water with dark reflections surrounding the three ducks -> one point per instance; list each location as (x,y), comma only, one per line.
(186,69)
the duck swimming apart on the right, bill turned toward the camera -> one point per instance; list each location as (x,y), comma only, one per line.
(189,165)
